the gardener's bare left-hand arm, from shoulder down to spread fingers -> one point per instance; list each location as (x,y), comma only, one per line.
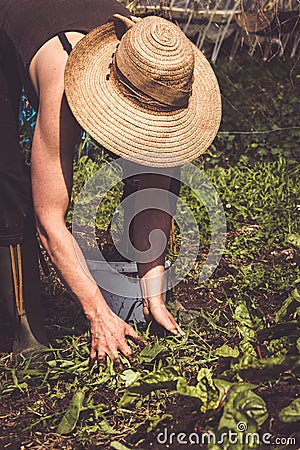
(55,135)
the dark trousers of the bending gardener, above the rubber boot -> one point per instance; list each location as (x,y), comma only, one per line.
(16,212)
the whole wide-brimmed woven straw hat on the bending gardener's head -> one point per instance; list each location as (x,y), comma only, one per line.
(152,99)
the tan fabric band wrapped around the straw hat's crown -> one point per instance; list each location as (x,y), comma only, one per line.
(164,94)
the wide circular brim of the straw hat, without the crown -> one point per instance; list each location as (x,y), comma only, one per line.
(136,133)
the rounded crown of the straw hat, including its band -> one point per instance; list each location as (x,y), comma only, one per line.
(158,61)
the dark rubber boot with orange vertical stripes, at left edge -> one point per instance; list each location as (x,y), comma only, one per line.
(21,297)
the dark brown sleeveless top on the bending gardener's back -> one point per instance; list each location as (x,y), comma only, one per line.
(26,25)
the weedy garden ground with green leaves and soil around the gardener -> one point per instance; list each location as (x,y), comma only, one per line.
(234,377)
